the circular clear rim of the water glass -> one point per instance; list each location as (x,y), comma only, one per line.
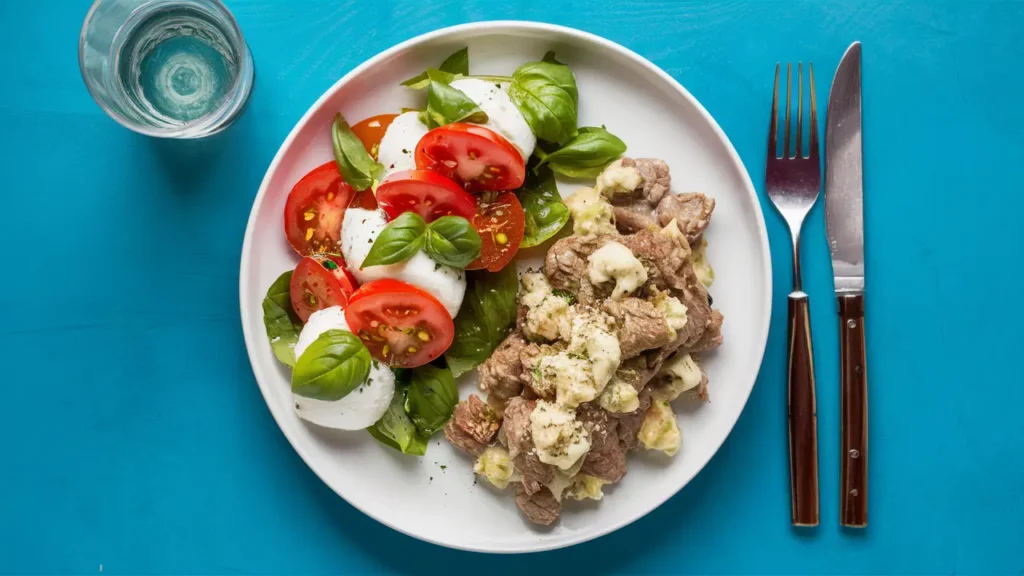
(188,131)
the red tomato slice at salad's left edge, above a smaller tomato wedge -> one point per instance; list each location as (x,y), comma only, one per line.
(315,211)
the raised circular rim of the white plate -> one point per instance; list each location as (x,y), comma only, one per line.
(513,27)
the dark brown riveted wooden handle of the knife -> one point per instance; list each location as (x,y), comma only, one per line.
(854,376)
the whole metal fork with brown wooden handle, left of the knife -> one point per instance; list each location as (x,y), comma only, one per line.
(793,184)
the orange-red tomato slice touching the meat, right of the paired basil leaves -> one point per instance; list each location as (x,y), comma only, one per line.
(501,223)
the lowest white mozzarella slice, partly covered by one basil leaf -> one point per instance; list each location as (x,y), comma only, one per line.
(362,407)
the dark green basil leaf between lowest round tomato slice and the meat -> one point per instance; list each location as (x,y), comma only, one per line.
(487,317)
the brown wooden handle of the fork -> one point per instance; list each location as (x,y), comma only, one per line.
(803,417)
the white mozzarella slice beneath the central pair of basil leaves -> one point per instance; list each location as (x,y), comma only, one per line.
(360,230)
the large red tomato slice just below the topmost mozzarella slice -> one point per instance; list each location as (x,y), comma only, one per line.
(473,155)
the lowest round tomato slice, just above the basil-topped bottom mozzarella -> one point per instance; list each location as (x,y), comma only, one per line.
(402,325)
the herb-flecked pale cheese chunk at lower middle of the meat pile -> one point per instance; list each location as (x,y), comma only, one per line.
(560,438)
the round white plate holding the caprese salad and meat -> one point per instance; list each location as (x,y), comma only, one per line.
(436,499)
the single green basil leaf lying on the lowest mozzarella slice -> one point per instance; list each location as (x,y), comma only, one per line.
(334,365)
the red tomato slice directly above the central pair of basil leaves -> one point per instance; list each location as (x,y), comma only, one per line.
(429,194)
